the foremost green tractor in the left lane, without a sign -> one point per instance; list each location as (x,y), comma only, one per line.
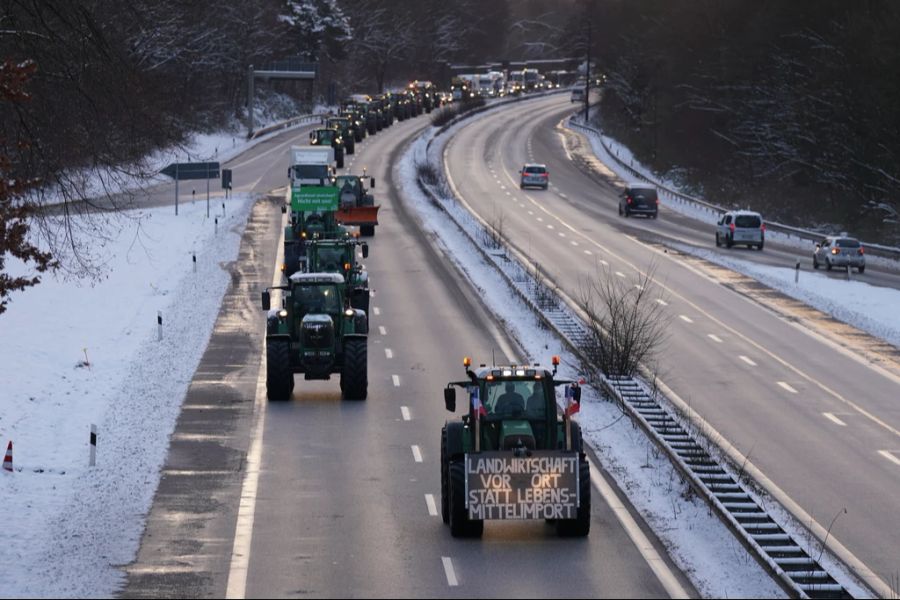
(316,332)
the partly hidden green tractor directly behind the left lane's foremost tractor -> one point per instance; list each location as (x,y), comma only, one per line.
(339,256)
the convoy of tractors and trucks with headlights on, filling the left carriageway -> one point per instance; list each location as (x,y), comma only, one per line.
(512,456)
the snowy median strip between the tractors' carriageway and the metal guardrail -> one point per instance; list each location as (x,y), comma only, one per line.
(698,542)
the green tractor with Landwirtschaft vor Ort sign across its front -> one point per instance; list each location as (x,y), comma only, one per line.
(512,456)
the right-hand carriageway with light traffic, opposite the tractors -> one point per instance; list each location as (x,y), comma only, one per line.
(810,401)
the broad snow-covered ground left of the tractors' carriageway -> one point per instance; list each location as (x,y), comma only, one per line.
(77,354)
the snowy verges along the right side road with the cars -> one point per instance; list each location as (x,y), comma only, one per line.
(867,307)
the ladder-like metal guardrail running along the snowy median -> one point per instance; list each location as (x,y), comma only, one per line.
(785,559)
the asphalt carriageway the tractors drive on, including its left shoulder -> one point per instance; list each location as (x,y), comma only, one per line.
(328,498)
